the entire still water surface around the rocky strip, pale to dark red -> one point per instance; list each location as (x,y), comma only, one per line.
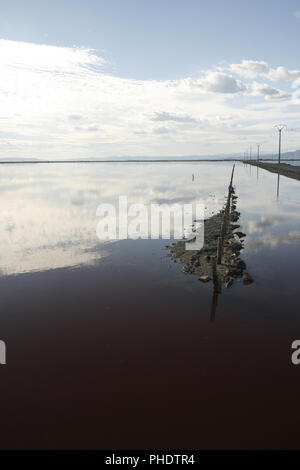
(110,345)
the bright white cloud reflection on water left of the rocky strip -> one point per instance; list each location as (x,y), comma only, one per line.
(48,213)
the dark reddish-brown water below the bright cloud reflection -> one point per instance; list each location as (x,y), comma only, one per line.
(123,355)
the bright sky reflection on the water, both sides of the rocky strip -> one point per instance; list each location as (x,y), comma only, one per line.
(48,212)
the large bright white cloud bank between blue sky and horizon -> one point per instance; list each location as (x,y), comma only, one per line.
(58,102)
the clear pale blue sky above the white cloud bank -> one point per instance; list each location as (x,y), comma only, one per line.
(161,39)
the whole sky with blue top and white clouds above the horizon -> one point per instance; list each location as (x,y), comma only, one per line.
(93,78)
